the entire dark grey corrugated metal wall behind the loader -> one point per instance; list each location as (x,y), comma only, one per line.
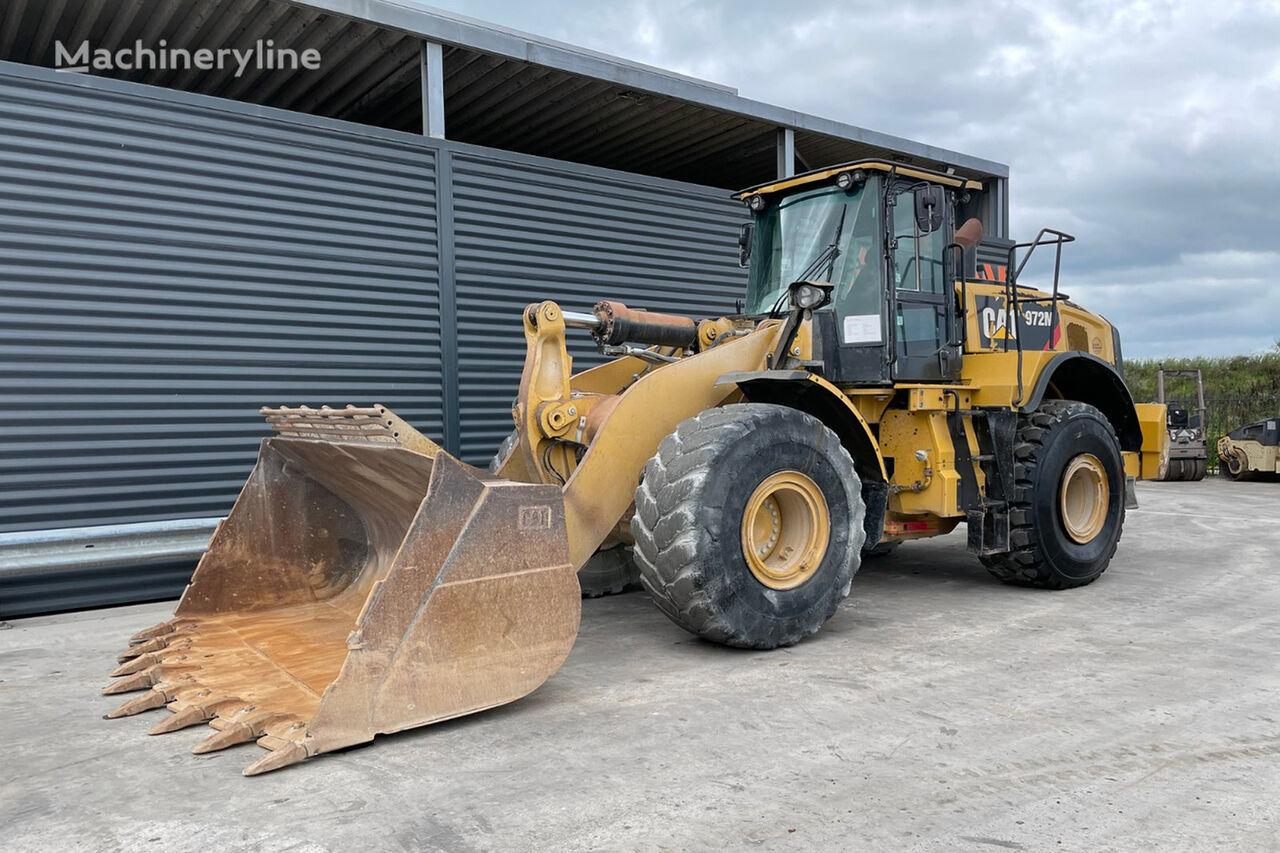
(170,263)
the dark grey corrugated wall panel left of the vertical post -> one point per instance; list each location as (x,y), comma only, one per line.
(167,268)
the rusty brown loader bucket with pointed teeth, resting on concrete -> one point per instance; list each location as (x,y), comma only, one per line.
(365,582)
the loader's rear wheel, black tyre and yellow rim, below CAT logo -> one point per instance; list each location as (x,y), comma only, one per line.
(1068,512)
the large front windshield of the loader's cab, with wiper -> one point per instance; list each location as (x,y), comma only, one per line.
(794,234)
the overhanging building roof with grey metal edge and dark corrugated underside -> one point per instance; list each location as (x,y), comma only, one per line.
(502,89)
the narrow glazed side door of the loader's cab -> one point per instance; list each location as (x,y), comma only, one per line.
(921,286)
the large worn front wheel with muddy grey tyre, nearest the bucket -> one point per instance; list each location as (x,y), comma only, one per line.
(700,501)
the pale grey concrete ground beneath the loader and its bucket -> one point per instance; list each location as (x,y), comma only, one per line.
(938,711)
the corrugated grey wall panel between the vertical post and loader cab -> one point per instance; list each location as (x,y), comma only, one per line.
(527,231)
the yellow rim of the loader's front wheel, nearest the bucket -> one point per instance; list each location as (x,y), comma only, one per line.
(785,530)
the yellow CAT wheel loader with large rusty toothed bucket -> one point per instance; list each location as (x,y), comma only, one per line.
(871,390)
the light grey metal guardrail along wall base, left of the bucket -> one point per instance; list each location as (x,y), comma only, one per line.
(104,548)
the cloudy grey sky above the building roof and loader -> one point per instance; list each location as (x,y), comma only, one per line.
(1151,131)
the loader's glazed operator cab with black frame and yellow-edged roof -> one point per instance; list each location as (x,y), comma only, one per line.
(879,234)
